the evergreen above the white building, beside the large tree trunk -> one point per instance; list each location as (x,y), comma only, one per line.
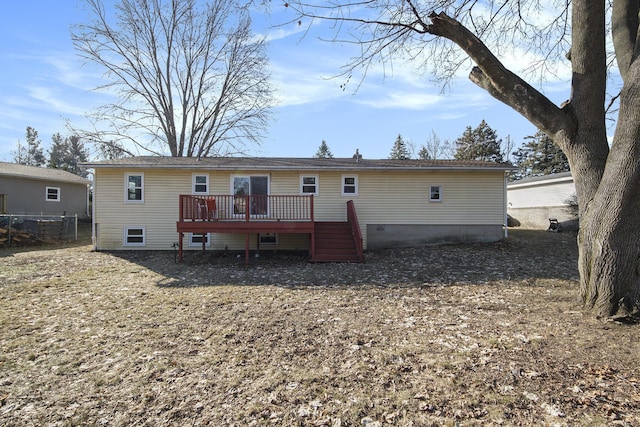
(537,156)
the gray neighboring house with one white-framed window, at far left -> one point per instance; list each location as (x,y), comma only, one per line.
(30,190)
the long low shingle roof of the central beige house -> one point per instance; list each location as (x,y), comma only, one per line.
(291,163)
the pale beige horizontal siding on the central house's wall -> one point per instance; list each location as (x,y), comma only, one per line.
(384,197)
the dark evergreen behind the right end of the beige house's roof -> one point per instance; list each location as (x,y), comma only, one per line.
(481,143)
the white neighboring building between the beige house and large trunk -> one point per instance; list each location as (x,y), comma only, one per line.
(533,201)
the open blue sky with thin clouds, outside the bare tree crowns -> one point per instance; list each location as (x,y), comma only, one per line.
(43,83)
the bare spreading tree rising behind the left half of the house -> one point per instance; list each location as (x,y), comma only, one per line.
(191,79)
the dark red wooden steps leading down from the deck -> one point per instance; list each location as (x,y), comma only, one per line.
(335,242)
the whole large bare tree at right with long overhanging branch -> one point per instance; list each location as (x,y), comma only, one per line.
(445,35)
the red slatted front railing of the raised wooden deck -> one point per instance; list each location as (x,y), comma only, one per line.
(245,208)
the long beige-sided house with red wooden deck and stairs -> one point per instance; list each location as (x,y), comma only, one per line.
(333,208)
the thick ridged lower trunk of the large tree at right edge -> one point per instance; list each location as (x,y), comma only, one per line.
(609,241)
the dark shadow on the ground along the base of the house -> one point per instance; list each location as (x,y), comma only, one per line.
(525,255)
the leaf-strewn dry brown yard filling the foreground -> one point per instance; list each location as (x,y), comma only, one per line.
(445,335)
